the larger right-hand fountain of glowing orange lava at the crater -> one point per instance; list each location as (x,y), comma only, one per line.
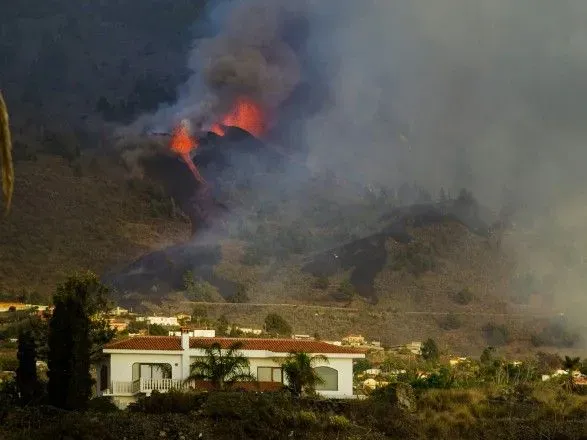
(245,114)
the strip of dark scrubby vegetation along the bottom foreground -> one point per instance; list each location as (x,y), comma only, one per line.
(392,412)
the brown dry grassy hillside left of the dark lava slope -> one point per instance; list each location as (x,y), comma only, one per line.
(62,221)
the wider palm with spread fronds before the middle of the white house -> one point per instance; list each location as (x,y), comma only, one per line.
(221,369)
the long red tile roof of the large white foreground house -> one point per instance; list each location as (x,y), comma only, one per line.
(274,345)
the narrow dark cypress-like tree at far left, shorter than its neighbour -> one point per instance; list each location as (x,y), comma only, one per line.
(26,373)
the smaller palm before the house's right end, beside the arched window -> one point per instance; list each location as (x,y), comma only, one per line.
(299,371)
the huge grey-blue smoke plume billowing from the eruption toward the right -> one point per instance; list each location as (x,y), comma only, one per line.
(488,96)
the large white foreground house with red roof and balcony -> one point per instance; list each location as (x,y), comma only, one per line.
(146,363)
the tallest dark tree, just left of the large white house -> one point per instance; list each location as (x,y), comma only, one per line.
(73,336)
